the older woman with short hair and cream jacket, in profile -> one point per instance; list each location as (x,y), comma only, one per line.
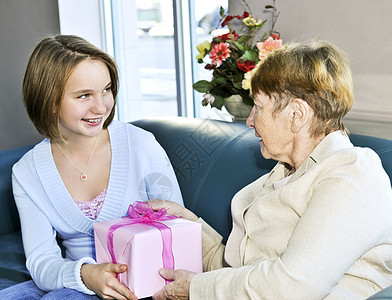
(319,225)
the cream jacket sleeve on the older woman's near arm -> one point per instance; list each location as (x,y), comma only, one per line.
(346,217)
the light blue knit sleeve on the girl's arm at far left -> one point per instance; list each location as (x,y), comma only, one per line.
(44,261)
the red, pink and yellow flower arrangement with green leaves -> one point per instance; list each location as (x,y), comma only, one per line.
(232,56)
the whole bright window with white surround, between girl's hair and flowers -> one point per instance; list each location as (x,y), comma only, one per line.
(140,35)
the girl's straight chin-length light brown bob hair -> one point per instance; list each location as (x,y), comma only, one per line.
(47,71)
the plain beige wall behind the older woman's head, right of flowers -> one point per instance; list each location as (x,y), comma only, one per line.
(361,28)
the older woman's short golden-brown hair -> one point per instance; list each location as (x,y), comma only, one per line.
(317,72)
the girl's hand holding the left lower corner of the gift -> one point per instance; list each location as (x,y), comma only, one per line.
(102,280)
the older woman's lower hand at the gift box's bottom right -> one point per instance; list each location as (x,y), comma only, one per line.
(178,289)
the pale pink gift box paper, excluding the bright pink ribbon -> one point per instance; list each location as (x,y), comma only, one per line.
(140,247)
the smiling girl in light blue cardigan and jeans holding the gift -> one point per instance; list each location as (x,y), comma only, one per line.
(87,169)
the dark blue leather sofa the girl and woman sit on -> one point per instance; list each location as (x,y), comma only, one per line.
(212,160)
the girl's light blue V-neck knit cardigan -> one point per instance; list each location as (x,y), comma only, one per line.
(46,208)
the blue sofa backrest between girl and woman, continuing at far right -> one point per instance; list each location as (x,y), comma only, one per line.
(213,160)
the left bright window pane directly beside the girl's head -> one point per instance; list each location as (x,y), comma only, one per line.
(144,50)
